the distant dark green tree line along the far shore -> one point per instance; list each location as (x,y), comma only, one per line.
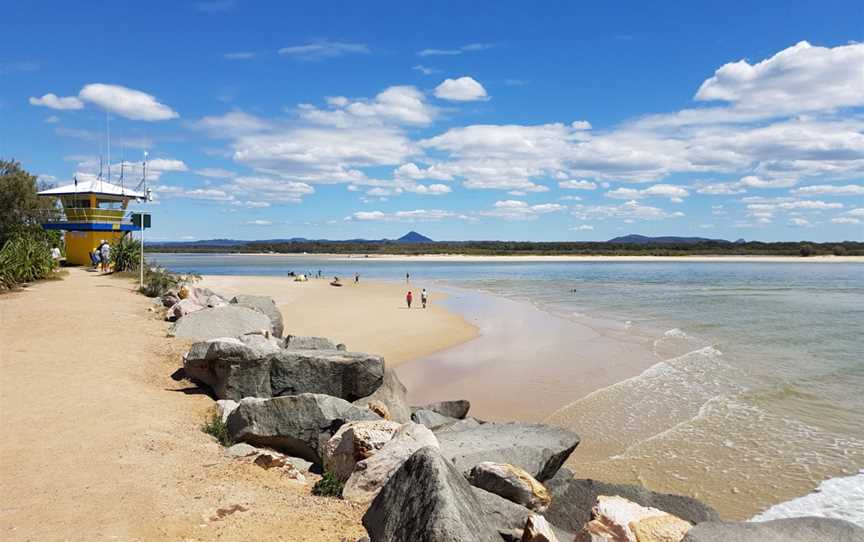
(524,248)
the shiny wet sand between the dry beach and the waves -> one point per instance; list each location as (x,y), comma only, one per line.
(526,363)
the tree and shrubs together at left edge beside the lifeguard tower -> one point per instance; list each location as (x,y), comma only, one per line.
(25,248)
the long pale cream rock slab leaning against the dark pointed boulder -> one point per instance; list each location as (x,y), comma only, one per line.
(371,474)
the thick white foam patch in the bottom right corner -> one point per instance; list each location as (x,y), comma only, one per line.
(841,498)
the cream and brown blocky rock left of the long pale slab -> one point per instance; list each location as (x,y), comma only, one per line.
(356,441)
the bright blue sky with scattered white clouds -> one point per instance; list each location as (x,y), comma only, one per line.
(461,120)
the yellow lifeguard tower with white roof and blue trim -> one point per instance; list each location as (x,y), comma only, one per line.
(89,212)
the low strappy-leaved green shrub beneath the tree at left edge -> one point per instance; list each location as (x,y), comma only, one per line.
(25,257)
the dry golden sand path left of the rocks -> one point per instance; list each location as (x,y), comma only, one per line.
(100,443)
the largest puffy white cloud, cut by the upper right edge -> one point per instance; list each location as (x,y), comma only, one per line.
(800,78)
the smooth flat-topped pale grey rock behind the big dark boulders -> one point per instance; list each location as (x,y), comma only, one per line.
(227,321)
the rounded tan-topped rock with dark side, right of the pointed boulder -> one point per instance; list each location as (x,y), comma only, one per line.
(511,483)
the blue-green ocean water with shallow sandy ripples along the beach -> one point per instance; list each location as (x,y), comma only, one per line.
(754,396)
